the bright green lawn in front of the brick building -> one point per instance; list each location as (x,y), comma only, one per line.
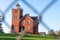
(26,37)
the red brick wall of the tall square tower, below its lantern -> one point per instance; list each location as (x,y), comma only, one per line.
(16,14)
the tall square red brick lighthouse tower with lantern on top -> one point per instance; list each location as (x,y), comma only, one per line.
(16,15)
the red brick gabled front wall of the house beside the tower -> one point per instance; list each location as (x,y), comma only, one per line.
(26,25)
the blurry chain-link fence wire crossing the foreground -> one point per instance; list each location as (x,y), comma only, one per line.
(34,10)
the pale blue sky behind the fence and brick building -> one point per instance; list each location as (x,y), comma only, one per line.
(51,17)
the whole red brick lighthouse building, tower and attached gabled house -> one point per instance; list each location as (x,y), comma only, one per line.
(20,22)
